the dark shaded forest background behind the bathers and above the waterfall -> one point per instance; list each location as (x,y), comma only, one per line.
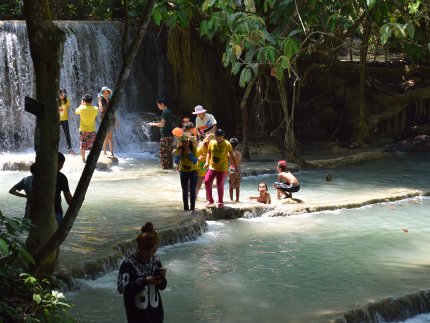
(331,98)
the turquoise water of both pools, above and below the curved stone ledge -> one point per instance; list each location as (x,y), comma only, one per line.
(302,268)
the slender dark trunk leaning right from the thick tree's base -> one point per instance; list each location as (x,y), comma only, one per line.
(66,225)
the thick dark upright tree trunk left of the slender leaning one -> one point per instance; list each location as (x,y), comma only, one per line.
(46,46)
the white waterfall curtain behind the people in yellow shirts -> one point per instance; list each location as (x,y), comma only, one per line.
(92,59)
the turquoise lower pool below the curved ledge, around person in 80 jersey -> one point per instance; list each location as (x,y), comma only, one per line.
(303,268)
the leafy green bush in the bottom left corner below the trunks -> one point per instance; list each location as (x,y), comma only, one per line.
(24,298)
